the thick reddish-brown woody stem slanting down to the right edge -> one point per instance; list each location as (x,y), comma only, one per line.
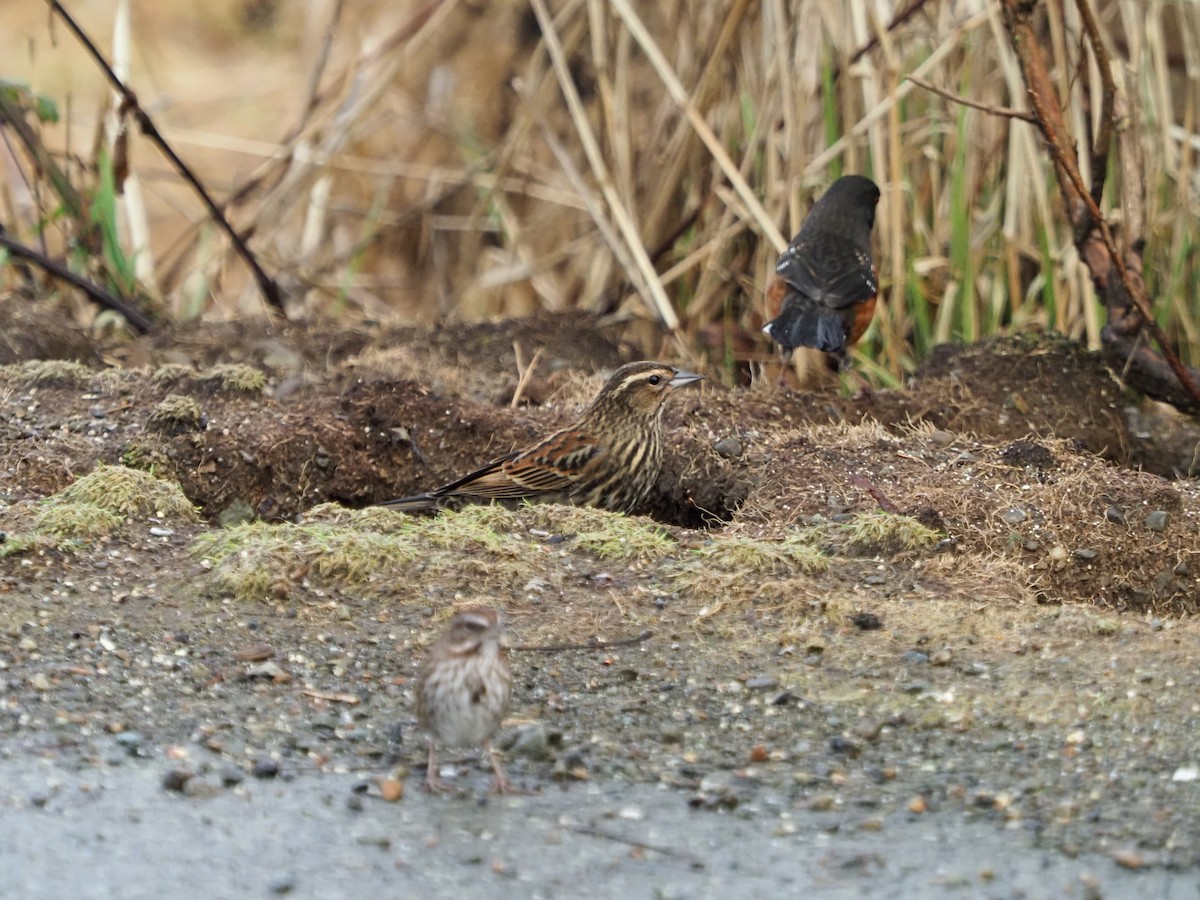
(1085,214)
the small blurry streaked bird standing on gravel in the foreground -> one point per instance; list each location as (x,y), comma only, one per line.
(464,689)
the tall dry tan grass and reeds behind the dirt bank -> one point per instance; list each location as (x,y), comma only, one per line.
(645,160)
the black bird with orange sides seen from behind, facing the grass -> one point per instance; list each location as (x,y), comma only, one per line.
(825,286)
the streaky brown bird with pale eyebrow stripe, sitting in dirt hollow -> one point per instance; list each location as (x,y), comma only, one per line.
(610,458)
